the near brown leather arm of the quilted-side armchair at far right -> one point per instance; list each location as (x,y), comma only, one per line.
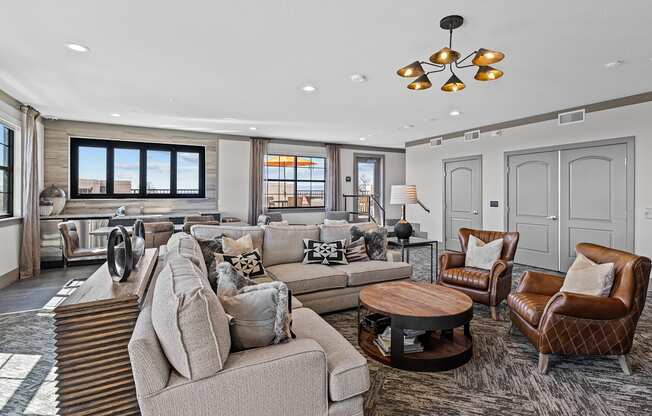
(585,306)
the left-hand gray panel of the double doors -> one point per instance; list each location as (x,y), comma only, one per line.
(533,195)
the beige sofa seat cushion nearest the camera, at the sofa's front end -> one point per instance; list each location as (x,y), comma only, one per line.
(348,375)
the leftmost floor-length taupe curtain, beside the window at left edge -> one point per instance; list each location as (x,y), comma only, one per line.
(30,248)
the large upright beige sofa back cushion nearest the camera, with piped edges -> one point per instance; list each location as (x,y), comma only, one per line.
(189,320)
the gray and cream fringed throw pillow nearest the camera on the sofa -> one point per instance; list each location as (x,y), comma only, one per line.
(259,315)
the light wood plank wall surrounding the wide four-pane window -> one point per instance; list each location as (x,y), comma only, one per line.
(56,159)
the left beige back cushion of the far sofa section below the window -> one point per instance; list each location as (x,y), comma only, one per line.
(284,244)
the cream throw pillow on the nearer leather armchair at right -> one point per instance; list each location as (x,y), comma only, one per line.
(589,278)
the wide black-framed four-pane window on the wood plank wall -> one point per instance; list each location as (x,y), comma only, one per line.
(121,169)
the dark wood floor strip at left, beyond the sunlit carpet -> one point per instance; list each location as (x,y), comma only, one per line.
(34,293)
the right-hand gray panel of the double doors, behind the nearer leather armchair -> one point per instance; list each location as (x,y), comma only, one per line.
(593,199)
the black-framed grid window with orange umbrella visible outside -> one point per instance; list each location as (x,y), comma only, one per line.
(295,181)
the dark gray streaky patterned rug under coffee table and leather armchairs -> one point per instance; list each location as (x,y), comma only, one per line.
(502,377)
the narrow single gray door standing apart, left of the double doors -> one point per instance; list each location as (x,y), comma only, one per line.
(463,198)
